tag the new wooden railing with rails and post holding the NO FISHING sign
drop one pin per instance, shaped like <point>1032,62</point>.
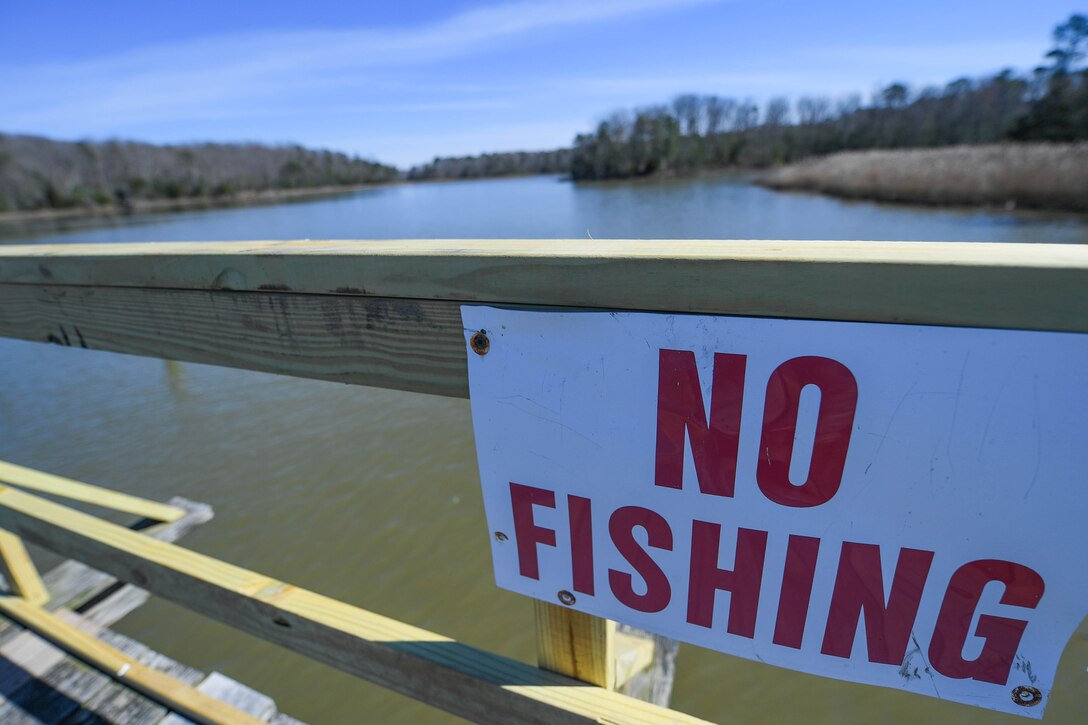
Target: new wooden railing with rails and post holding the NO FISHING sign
<point>388,314</point>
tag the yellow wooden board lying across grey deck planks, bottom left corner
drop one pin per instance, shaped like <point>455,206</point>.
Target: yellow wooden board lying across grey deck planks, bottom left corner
<point>174,694</point>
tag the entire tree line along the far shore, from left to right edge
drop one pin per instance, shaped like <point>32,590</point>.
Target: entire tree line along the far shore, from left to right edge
<point>693,133</point>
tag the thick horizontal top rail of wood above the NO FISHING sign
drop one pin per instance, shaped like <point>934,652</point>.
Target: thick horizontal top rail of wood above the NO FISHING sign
<point>388,314</point>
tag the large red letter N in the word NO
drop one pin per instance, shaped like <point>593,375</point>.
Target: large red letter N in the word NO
<point>681,411</point>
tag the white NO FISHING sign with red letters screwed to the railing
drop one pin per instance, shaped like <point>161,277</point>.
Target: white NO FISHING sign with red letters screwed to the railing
<point>888,505</point>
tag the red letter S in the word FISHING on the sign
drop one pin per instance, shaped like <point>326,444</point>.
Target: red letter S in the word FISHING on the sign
<point>660,536</point>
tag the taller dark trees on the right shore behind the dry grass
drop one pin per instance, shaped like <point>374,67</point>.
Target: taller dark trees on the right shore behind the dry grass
<point>704,132</point>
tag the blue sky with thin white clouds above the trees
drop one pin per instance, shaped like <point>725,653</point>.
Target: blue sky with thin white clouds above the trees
<point>404,82</point>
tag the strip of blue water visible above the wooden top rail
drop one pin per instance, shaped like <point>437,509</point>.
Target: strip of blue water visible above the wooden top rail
<point>725,207</point>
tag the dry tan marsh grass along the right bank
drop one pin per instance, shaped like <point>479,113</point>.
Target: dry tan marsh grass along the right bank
<point>1028,176</point>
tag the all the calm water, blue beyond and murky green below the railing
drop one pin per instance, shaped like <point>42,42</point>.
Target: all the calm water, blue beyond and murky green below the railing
<point>373,497</point>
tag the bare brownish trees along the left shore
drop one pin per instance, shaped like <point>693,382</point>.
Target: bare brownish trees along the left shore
<point>39,173</point>
